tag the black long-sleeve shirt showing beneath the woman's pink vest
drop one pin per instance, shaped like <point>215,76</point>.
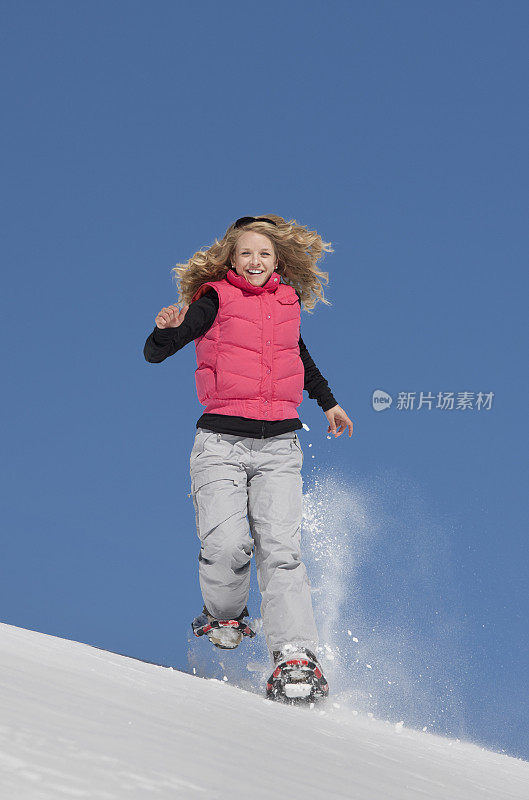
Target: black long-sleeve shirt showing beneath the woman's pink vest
<point>164,342</point>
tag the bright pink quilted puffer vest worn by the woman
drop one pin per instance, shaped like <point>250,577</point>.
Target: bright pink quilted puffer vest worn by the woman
<point>248,362</point>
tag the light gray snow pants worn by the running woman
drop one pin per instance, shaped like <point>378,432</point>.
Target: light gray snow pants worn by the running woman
<point>248,496</point>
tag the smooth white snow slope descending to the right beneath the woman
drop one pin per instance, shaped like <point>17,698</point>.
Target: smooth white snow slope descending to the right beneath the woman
<point>78,722</point>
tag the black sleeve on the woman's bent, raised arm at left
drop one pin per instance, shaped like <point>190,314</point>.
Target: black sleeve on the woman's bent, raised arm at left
<point>164,342</point>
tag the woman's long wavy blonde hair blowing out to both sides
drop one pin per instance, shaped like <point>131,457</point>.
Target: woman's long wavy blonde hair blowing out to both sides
<point>297,249</point>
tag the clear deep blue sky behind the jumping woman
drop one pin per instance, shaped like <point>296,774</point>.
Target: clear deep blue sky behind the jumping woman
<point>134,134</point>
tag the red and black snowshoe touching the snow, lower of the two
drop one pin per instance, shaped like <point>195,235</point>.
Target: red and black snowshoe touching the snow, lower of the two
<point>297,677</point>
